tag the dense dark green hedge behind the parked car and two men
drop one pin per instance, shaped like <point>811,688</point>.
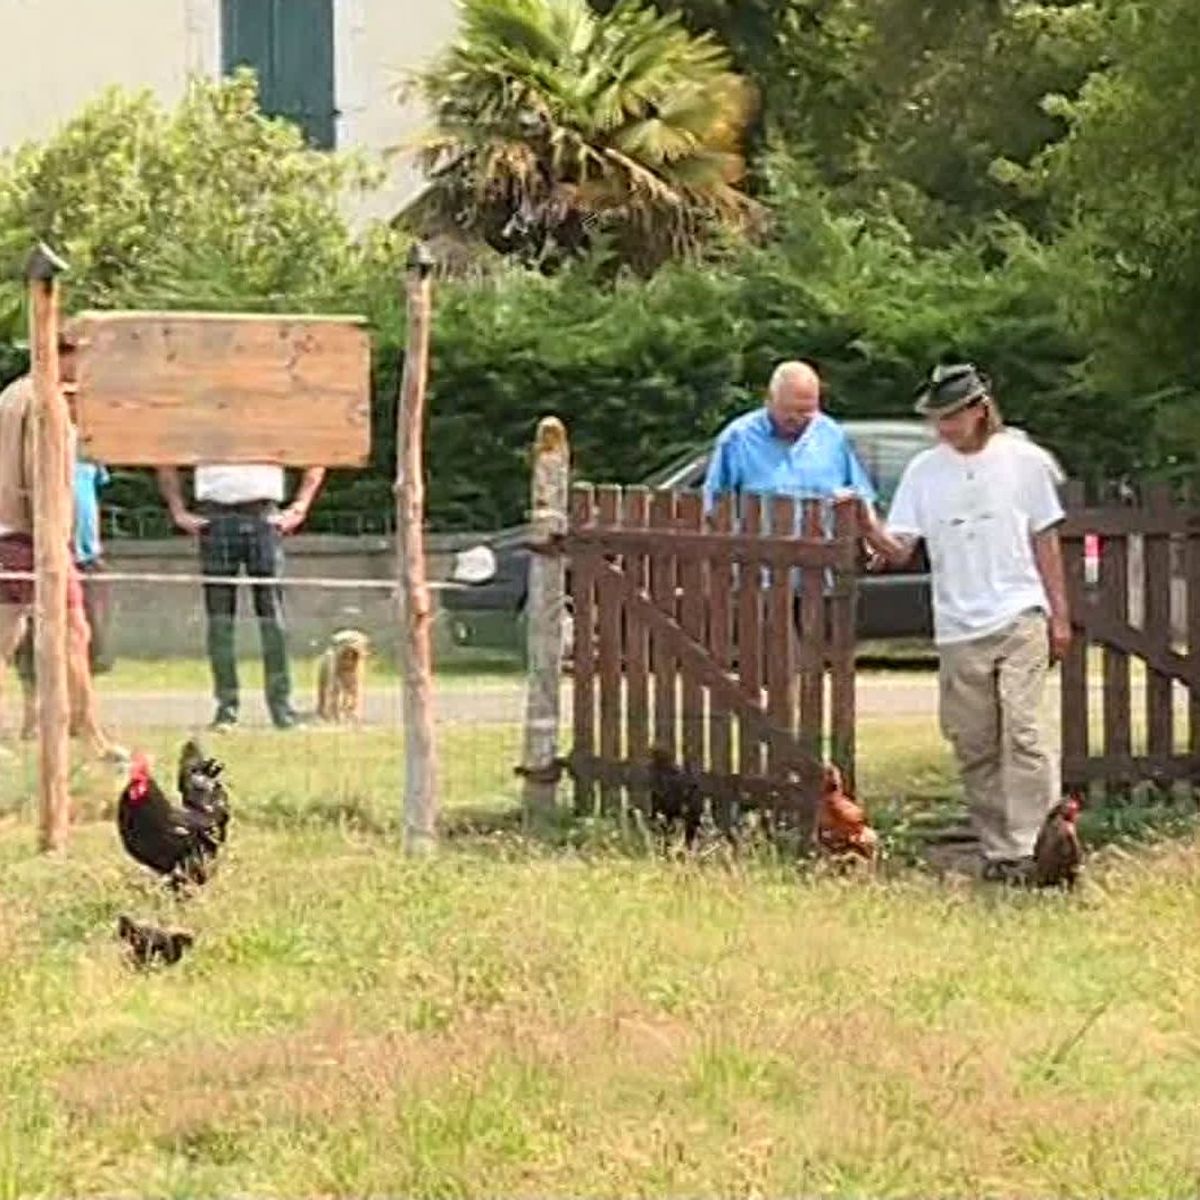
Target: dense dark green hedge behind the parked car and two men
<point>640,369</point>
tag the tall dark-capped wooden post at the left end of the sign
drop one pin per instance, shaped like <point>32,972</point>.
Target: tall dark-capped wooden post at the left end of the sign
<point>52,539</point>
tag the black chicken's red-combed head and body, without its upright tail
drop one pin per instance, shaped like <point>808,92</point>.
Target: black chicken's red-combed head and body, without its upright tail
<point>179,844</point>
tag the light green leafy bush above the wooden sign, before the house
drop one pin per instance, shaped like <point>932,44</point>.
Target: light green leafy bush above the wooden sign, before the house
<point>184,207</point>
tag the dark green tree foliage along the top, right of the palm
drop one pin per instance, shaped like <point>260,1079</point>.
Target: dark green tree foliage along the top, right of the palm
<point>909,106</point>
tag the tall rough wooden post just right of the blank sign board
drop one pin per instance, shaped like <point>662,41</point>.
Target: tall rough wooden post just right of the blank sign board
<point>413,593</point>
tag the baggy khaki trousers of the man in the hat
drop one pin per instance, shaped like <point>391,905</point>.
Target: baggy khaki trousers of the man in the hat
<point>992,693</point>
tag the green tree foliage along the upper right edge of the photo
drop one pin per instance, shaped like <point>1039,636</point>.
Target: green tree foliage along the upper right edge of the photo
<point>1127,185</point>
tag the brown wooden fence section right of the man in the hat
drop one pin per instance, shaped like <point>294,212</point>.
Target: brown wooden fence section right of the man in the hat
<point>1138,638</point>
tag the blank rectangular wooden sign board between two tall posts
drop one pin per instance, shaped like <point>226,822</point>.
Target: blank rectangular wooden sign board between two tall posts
<point>160,389</point>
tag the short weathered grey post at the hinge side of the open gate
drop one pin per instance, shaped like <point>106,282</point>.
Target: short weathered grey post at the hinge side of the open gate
<point>547,615</point>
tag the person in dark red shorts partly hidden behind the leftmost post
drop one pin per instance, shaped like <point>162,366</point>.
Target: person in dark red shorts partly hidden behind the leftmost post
<point>17,557</point>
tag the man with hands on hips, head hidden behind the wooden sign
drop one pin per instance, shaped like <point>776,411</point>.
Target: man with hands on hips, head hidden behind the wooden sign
<point>241,524</point>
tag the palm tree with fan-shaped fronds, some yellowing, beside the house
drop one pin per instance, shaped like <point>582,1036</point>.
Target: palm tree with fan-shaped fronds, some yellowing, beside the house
<point>554,124</point>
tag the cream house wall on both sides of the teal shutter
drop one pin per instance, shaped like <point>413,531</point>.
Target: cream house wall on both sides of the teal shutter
<point>76,49</point>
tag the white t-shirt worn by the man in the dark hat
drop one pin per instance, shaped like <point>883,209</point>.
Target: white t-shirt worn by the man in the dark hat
<point>979,514</point>
